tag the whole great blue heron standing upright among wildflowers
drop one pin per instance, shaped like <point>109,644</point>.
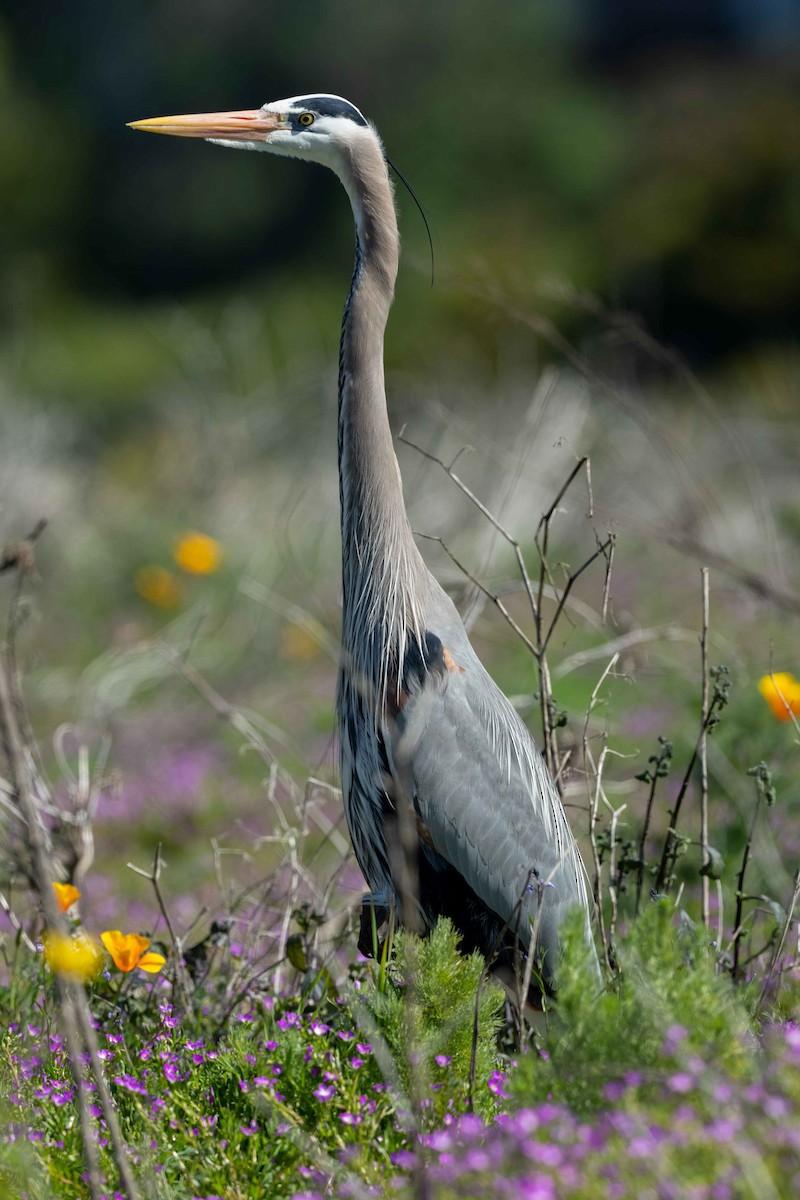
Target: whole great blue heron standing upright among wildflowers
<point>420,721</point>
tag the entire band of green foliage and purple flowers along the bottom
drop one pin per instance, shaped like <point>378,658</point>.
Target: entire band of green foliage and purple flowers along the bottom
<point>642,1085</point>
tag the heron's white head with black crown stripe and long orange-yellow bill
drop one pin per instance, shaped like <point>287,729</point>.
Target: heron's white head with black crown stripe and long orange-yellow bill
<point>316,128</point>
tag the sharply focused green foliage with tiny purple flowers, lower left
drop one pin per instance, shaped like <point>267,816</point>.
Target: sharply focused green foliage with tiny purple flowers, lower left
<point>282,1089</point>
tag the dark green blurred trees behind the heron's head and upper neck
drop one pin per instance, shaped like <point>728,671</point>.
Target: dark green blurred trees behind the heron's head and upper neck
<point>645,151</point>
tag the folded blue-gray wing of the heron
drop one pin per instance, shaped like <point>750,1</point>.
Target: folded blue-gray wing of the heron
<point>484,795</point>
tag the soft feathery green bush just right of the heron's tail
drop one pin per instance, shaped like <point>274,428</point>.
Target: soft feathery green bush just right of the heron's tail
<point>669,982</point>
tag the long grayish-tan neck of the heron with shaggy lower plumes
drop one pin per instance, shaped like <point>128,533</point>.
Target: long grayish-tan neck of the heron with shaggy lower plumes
<point>383,573</point>
